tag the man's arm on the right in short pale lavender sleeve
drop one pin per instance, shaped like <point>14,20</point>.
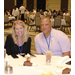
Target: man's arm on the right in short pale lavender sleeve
<point>65,44</point>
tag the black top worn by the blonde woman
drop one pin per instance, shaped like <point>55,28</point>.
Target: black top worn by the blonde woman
<point>12,48</point>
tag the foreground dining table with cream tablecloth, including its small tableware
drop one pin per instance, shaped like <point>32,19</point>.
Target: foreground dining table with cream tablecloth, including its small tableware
<point>14,65</point>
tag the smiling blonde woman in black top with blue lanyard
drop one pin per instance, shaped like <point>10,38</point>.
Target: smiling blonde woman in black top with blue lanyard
<point>18,42</point>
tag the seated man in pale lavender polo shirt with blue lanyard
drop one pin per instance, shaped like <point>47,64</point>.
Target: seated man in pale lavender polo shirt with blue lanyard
<point>51,39</point>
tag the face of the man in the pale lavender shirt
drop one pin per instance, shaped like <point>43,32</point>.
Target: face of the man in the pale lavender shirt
<point>45,25</point>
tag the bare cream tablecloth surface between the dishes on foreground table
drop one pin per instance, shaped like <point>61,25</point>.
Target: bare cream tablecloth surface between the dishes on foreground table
<point>41,68</point>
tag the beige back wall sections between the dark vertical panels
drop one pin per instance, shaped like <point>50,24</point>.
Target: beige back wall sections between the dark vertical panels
<point>50,4</point>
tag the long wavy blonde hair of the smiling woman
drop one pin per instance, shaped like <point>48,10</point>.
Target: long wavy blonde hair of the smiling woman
<point>25,35</point>
